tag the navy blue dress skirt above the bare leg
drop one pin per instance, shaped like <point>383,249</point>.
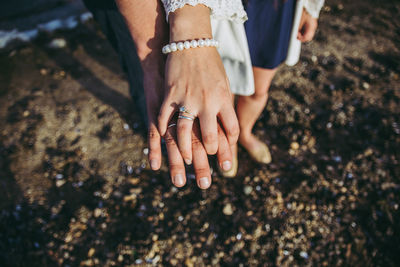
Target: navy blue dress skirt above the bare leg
<point>268,31</point>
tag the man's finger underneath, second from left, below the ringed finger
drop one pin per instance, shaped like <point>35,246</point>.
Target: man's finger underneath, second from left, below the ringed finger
<point>175,161</point>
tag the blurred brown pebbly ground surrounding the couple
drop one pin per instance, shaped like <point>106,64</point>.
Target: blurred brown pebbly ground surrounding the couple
<point>76,189</point>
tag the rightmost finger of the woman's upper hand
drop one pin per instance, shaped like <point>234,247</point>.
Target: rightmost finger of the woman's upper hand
<point>229,121</point>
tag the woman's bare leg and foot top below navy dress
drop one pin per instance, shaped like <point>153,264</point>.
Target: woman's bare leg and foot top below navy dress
<point>249,108</point>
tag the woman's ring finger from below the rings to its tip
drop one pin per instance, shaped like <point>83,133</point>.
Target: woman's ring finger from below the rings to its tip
<point>184,134</point>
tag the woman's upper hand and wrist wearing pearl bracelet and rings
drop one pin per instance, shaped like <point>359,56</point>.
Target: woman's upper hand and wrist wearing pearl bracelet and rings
<point>196,79</point>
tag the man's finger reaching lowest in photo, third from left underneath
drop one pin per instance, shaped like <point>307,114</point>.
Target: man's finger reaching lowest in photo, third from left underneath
<point>200,159</point>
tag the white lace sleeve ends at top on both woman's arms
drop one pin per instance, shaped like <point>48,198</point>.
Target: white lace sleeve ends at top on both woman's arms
<point>231,9</point>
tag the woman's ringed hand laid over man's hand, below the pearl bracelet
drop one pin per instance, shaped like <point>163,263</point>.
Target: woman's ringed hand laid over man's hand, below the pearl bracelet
<point>194,79</point>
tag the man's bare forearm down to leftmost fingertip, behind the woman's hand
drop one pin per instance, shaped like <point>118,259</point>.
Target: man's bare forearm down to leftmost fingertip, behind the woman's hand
<point>149,31</point>
